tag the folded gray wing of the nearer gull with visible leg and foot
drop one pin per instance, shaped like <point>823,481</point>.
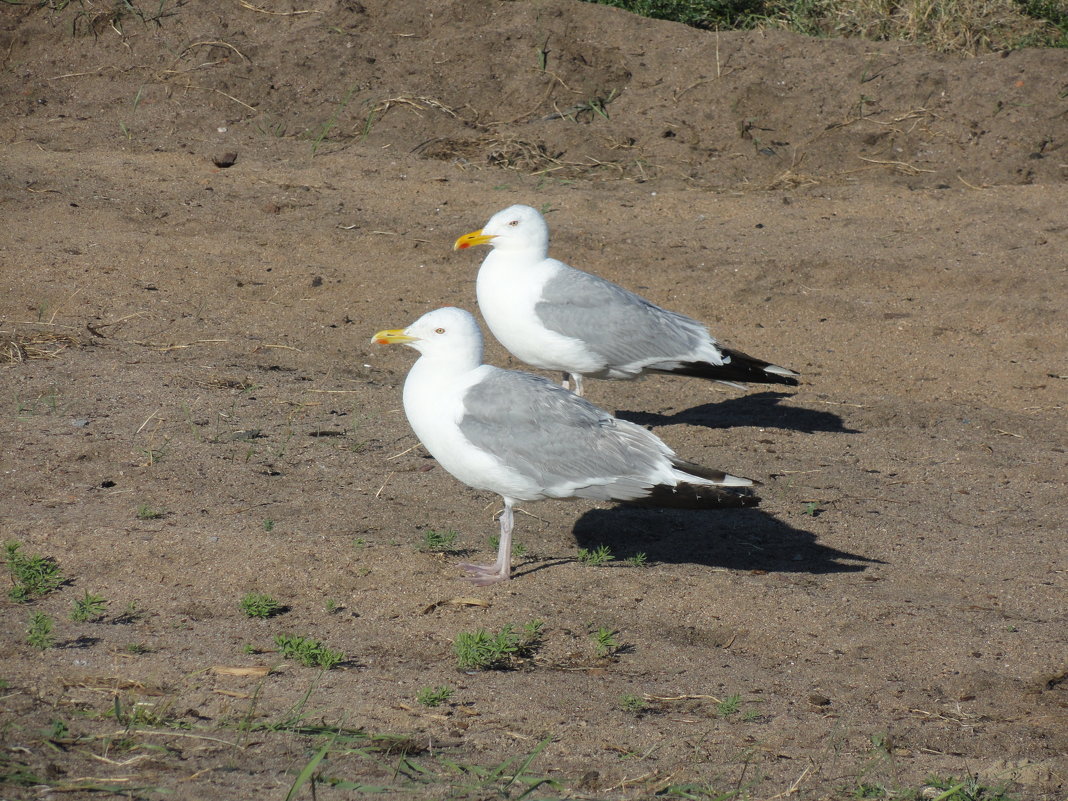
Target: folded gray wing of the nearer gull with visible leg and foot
<point>560,442</point>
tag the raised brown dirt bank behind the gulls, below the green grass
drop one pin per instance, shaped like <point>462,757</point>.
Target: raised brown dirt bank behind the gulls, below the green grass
<point>557,89</point>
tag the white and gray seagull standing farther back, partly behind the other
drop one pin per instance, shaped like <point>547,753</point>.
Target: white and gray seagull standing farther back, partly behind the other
<point>556,318</point>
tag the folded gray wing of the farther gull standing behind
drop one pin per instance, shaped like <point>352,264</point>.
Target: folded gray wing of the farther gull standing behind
<point>621,327</point>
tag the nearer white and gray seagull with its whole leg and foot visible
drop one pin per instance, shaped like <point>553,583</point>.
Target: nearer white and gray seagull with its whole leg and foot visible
<point>528,439</point>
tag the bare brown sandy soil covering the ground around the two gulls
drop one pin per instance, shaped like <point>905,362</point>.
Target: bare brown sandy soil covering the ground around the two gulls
<point>193,339</point>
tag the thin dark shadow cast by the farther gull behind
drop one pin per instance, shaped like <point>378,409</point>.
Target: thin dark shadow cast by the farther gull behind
<point>762,410</point>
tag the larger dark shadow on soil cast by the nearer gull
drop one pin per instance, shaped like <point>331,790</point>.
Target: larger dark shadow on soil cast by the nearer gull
<point>739,540</point>
